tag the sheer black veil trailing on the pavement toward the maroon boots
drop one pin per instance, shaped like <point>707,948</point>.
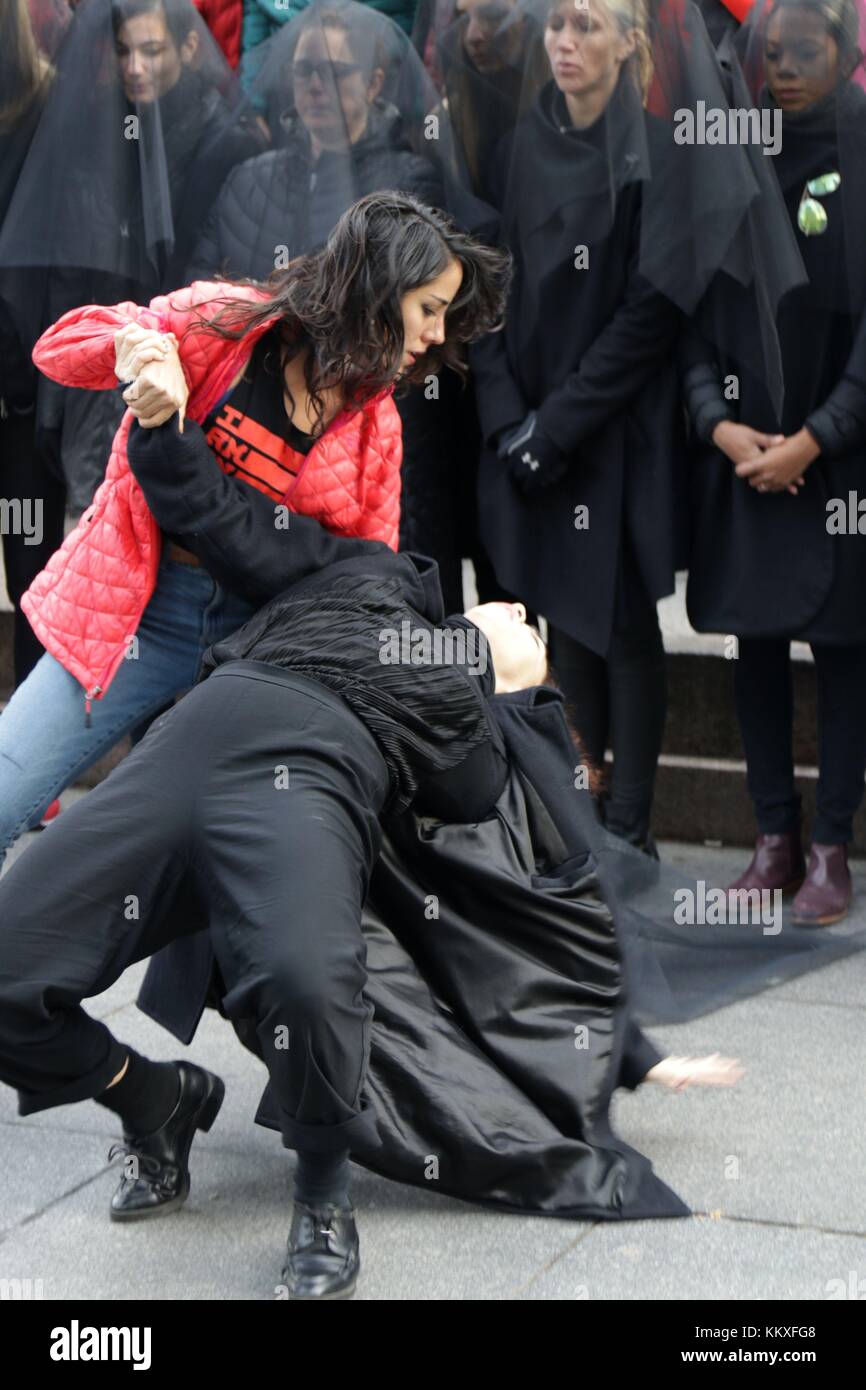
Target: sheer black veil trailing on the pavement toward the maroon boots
<point>678,967</point>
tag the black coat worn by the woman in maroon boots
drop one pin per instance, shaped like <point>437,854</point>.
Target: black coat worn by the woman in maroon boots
<point>765,565</point>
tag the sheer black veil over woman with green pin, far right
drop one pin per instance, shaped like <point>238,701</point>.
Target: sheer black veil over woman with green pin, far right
<point>801,252</point>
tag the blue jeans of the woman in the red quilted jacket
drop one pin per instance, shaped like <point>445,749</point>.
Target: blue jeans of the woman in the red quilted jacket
<point>45,743</point>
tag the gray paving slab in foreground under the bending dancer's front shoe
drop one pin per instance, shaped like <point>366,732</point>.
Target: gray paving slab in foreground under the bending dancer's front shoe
<point>229,1241</point>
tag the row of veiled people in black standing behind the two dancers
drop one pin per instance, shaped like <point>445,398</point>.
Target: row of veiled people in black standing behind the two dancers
<point>678,344</point>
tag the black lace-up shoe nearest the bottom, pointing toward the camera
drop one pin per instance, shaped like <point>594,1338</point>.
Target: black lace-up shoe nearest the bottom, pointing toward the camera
<point>323,1257</point>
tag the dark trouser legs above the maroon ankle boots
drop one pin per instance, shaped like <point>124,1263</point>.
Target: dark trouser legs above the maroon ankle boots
<point>765,708</point>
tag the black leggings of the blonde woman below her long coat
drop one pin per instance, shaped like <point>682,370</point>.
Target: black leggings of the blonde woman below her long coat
<point>621,701</point>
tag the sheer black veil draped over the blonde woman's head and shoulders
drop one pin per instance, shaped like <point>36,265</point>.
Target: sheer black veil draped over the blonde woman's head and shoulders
<point>710,208</point>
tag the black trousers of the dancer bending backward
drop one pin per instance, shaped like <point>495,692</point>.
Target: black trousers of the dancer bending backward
<point>252,806</point>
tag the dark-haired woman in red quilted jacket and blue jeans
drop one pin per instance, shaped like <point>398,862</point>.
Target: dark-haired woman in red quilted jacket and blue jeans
<point>288,389</point>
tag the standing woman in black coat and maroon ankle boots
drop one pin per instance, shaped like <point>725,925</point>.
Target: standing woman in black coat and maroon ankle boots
<point>778,553</point>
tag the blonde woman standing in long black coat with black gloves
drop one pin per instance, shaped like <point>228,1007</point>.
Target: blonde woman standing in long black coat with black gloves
<point>579,397</point>
